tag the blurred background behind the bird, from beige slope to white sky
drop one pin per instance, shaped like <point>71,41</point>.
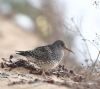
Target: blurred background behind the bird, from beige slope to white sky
<point>26,24</point>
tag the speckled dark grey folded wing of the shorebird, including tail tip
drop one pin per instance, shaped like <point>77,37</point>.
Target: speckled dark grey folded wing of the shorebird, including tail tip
<point>40,53</point>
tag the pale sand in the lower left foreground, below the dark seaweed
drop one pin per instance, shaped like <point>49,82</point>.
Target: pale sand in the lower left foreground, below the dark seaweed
<point>13,77</point>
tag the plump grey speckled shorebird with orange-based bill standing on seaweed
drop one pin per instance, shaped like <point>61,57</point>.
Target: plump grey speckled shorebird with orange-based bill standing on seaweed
<point>46,57</point>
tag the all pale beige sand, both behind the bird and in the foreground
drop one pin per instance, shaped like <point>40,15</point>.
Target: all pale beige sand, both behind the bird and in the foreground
<point>13,38</point>
